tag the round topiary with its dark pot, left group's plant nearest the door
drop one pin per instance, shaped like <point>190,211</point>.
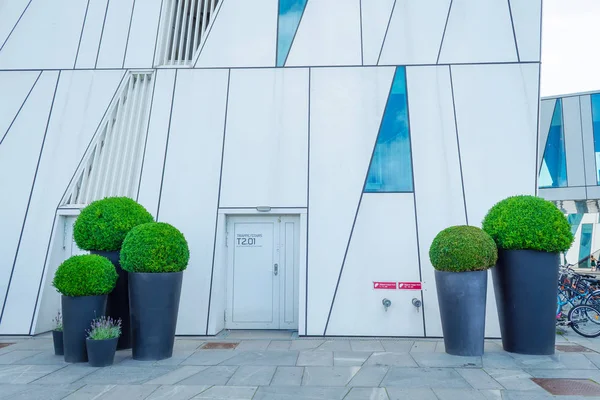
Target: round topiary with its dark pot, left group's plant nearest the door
<point>155,255</point>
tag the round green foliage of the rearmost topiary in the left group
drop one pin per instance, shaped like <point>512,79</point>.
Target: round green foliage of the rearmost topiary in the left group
<point>103,224</point>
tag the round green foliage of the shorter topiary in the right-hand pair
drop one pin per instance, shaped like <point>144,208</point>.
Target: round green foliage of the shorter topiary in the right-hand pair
<point>463,248</point>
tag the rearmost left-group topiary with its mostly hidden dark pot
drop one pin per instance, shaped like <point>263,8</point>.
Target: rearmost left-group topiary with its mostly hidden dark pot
<point>101,228</point>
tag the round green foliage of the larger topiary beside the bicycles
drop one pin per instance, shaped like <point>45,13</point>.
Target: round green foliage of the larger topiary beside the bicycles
<point>528,223</point>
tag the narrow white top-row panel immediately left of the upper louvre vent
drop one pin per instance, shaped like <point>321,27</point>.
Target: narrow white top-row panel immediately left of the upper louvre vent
<point>142,36</point>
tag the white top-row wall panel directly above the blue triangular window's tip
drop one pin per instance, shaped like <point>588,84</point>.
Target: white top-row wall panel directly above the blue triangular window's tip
<point>415,32</point>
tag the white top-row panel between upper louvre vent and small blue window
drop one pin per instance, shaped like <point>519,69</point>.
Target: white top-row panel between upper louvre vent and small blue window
<point>243,34</point>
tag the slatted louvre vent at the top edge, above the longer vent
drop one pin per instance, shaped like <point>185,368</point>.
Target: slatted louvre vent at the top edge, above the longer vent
<point>184,26</point>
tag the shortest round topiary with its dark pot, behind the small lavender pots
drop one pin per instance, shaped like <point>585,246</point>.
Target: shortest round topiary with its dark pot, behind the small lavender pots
<point>84,282</point>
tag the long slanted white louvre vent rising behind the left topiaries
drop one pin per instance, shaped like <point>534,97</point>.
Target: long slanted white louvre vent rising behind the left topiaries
<point>112,164</point>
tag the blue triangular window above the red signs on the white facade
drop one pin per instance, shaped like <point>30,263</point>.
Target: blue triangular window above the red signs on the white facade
<point>391,166</point>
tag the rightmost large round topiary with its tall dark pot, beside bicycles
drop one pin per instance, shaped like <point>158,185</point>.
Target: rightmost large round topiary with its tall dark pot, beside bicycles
<point>530,233</point>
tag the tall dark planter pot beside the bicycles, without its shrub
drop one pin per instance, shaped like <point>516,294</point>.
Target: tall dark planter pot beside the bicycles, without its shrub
<point>525,283</point>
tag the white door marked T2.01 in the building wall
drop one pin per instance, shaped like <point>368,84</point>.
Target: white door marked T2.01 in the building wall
<point>262,284</point>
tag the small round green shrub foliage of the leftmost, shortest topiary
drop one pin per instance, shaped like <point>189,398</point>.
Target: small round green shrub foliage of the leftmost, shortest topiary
<point>85,275</point>
